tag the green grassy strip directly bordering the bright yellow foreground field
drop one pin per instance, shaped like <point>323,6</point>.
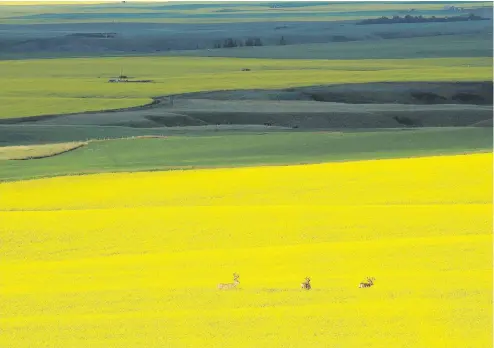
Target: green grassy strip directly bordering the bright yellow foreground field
<point>239,150</point>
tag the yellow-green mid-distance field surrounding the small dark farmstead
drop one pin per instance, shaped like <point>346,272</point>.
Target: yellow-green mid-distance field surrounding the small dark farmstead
<point>72,85</point>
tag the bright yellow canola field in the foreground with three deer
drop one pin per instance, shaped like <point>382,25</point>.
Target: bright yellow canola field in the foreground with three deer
<point>133,260</point>
